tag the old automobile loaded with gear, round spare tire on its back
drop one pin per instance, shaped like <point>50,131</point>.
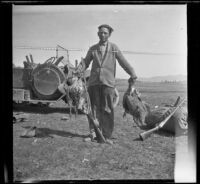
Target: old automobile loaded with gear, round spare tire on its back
<point>38,83</point>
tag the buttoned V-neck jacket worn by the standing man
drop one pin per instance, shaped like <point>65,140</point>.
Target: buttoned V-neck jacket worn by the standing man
<point>104,68</point>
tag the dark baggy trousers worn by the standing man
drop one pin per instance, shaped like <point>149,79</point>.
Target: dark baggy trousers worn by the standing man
<point>101,97</point>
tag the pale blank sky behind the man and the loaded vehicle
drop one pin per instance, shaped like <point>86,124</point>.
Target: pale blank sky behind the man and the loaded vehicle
<point>137,28</point>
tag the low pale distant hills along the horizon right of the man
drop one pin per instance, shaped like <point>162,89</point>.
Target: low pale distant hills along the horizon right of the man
<point>164,78</point>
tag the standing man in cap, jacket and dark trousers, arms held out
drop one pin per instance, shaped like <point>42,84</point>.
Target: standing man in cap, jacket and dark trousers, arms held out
<point>101,83</point>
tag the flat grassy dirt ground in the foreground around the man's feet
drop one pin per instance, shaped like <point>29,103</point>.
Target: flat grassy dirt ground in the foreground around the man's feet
<point>58,152</point>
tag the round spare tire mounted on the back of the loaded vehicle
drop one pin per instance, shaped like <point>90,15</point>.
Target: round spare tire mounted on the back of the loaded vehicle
<point>45,81</point>
